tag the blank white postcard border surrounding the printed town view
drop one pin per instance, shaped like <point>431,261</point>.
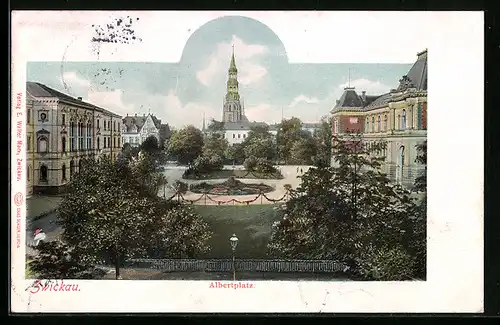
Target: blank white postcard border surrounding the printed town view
<point>455,158</point>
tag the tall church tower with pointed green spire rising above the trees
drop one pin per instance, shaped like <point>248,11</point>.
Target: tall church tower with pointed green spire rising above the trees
<point>232,110</point>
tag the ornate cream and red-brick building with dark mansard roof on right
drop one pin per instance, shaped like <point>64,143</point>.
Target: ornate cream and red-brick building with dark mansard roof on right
<point>398,118</point>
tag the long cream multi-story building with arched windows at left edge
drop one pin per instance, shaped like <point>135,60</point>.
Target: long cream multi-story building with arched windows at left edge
<point>62,131</point>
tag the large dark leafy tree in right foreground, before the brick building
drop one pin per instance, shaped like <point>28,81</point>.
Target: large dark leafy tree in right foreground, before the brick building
<point>350,212</point>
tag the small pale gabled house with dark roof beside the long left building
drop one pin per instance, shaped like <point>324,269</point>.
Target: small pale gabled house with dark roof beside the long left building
<point>136,129</point>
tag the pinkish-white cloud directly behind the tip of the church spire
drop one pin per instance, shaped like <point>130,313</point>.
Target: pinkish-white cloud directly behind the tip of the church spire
<point>246,57</point>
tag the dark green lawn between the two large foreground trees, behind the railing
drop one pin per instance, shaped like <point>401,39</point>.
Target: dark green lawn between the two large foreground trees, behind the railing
<point>251,224</point>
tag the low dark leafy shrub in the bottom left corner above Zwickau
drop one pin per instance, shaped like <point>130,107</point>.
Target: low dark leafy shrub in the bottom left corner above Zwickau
<point>56,260</point>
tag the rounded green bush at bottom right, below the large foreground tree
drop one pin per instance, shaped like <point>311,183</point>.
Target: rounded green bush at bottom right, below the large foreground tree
<point>387,264</point>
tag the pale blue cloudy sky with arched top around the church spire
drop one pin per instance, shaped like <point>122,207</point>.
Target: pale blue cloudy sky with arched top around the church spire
<point>180,93</point>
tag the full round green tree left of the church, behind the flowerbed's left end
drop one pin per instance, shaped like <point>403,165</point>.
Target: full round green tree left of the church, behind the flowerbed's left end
<point>186,144</point>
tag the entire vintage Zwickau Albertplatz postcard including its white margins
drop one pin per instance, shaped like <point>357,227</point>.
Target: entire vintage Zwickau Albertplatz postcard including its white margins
<point>290,162</point>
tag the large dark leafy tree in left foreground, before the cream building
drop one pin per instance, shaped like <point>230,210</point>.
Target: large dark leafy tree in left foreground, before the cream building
<point>108,216</point>
